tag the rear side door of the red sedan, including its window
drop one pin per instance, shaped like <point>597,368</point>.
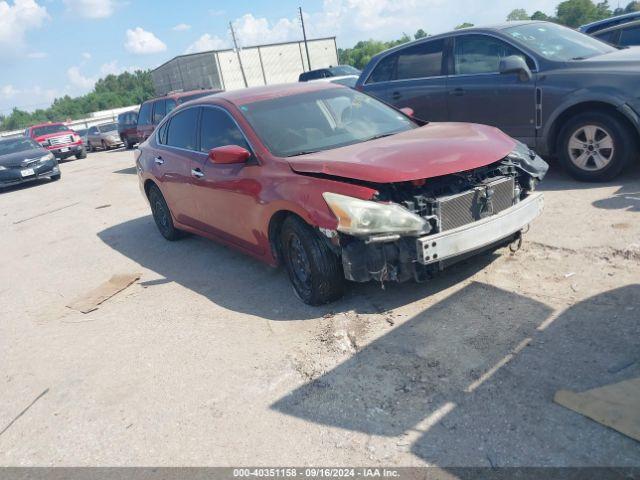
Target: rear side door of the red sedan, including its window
<point>177,147</point>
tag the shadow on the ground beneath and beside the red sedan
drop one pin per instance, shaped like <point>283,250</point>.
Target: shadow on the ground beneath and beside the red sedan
<point>240,283</point>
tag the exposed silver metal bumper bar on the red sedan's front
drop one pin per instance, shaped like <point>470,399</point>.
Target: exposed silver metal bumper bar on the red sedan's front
<point>473,236</point>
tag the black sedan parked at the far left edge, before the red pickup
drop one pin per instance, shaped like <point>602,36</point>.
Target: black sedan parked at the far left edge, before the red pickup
<point>23,160</point>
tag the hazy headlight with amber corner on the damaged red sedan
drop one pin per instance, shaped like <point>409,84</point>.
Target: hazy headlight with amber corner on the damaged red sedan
<point>364,217</point>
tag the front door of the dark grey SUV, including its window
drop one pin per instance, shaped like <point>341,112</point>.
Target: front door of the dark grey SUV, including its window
<point>478,93</point>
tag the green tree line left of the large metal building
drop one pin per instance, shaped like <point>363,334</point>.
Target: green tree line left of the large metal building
<point>112,91</point>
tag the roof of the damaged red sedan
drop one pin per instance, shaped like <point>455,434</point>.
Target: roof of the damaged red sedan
<point>256,94</point>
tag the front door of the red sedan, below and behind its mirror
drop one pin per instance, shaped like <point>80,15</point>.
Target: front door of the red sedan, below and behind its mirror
<point>227,196</point>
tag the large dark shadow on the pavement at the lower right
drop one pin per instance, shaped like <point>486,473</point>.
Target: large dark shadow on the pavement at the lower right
<point>413,382</point>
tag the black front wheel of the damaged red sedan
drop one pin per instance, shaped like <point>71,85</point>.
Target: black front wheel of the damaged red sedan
<point>314,270</point>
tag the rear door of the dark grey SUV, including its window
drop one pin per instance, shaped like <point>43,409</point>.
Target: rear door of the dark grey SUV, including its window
<point>413,77</point>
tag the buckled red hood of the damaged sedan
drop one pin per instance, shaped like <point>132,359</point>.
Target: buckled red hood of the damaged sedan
<point>430,151</point>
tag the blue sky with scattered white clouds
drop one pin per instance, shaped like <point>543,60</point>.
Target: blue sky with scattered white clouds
<point>51,48</point>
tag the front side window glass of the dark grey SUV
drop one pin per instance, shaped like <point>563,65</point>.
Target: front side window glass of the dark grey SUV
<point>477,54</point>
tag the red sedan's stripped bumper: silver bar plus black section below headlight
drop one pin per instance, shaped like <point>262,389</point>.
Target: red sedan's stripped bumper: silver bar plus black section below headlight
<point>419,259</point>
